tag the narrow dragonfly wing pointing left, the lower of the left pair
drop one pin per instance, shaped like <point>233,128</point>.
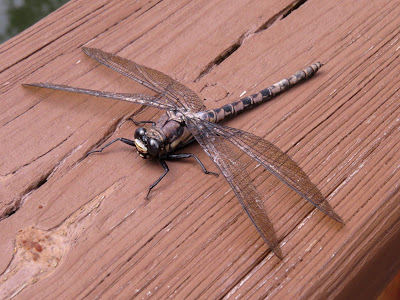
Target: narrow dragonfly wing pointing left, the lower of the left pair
<point>134,98</point>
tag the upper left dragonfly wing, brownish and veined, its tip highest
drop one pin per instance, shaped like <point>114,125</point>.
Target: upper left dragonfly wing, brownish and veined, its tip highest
<point>157,81</point>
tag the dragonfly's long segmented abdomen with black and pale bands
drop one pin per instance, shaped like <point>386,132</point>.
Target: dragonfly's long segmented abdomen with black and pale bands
<point>228,110</point>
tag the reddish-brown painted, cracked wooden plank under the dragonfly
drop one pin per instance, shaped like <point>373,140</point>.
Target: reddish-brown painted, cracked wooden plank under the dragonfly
<point>75,227</point>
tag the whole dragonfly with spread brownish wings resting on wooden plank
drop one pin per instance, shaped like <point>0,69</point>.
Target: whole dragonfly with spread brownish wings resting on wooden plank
<point>186,120</point>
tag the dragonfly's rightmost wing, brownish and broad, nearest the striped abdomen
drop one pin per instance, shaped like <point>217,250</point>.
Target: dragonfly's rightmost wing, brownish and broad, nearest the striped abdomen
<point>278,163</point>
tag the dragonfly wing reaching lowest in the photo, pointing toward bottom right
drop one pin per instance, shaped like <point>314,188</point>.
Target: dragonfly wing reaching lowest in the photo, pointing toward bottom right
<point>220,151</point>
